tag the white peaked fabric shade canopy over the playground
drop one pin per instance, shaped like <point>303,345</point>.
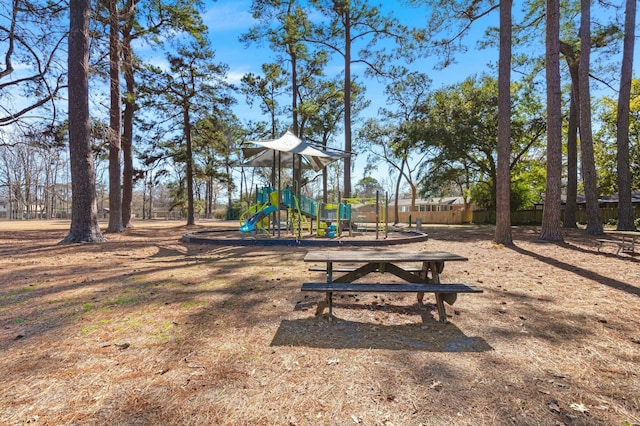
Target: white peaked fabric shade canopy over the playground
<point>288,146</point>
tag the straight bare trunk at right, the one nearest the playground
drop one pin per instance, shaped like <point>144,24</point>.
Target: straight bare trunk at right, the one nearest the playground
<point>503,182</point>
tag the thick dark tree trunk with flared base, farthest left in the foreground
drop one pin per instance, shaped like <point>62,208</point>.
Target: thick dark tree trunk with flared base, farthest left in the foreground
<point>84,210</point>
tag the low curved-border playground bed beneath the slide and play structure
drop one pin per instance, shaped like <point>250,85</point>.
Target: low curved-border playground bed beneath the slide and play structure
<point>362,239</point>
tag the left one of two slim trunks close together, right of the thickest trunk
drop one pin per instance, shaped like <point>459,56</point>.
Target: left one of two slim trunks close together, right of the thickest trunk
<point>115,170</point>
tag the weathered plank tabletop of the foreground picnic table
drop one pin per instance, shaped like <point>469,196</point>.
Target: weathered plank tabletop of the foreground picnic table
<point>385,256</point>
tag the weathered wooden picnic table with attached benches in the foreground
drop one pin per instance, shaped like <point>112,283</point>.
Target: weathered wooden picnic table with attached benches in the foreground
<point>355,264</point>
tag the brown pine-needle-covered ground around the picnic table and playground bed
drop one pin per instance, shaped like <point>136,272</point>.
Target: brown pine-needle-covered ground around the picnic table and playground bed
<point>146,330</point>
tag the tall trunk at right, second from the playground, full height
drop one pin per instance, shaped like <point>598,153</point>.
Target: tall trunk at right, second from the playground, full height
<point>550,230</point>
